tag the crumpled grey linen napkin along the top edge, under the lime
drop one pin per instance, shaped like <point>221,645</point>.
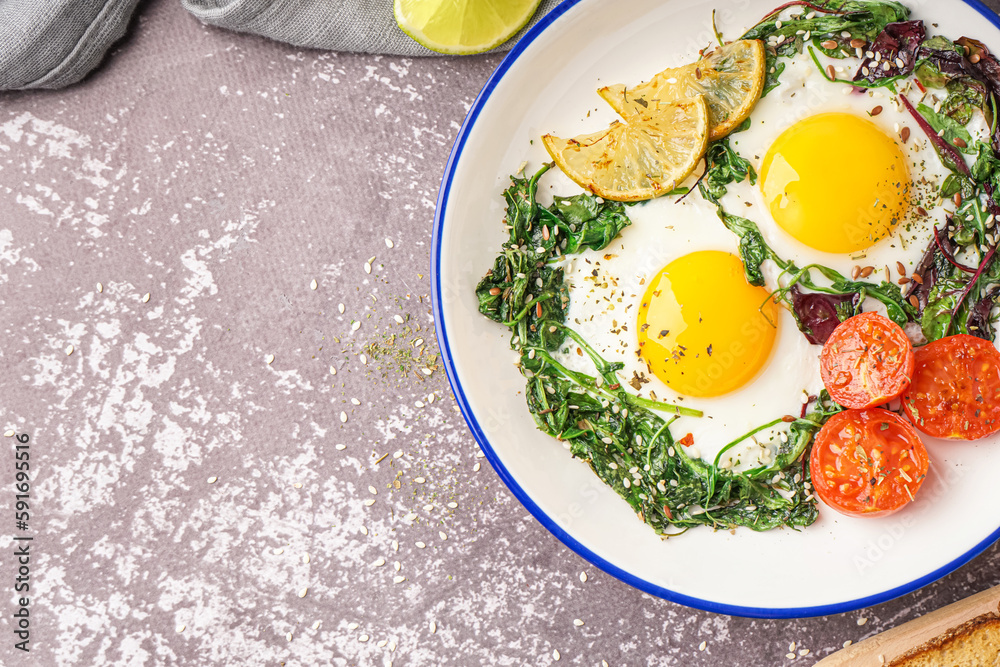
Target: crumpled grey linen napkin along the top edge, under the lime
<point>53,43</point>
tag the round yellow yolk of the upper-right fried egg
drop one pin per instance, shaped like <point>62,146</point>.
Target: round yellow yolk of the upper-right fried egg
<point>836,182</point>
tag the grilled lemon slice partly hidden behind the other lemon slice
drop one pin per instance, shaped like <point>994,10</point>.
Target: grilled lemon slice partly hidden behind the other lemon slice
<point>730,78</point>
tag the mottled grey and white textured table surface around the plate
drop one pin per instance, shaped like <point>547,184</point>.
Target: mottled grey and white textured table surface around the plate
<point>198,502</point>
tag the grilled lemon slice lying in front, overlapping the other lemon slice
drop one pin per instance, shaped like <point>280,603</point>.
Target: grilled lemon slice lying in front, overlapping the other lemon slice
<point>644,157</point>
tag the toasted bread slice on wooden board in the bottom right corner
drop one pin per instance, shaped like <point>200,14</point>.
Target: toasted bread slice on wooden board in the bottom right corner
<point>975,643</point>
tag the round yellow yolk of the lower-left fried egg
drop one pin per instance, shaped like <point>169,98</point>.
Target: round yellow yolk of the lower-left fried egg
<point>703,330</point>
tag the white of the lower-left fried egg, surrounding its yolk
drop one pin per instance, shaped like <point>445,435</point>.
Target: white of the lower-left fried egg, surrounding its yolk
<point>603,308</point>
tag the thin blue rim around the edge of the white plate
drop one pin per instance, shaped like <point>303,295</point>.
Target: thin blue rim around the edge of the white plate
<point>520,493</point>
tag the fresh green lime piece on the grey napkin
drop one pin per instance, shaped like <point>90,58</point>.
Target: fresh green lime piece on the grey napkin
<point>462,27</point>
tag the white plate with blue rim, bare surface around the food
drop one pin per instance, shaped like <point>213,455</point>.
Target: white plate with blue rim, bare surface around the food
<point>836,565</point>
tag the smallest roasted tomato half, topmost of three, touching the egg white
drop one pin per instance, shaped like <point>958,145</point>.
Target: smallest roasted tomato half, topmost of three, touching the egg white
<point>867,361</point>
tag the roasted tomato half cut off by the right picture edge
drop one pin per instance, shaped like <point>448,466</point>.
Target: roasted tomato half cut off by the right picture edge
<point>955,391</point>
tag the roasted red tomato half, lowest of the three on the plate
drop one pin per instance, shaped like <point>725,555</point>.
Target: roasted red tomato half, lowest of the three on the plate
<point>858,447</point>
